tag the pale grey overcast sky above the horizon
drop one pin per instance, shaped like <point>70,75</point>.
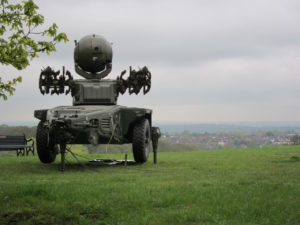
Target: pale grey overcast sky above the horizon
<point>211,60</point>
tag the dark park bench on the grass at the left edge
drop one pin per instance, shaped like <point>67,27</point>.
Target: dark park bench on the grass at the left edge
<point>16,142</point>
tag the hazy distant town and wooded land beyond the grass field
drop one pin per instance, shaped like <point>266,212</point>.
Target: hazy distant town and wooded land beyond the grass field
<point>202,136</point>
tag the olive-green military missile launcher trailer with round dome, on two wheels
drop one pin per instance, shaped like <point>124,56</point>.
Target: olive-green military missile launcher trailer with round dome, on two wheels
<point>95,118</point>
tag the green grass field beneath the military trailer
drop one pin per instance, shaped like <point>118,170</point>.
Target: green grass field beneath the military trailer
<point>253,186</point>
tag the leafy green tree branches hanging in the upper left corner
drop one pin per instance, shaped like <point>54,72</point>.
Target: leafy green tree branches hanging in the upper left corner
<point>21,40</point>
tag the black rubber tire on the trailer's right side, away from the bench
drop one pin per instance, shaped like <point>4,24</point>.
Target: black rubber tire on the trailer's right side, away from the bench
<point>141,140</point>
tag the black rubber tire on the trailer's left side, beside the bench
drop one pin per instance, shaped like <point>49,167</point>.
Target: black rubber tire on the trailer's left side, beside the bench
<point>46,148</point>
